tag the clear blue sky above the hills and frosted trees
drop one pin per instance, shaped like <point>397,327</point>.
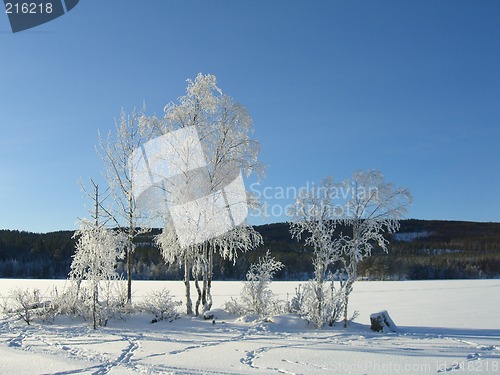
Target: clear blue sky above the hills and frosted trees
<point>411,88</point>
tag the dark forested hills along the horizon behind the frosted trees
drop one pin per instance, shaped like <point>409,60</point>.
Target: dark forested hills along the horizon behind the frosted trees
<point>420,250</point>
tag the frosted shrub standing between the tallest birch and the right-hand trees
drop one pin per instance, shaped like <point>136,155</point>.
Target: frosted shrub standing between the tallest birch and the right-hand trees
<point>256,297</point>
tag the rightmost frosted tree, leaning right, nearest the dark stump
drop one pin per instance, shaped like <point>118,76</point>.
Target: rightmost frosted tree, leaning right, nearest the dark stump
<point>371,209</point>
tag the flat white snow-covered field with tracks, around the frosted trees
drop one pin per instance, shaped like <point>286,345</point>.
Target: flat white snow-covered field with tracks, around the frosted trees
<point>444,327</point>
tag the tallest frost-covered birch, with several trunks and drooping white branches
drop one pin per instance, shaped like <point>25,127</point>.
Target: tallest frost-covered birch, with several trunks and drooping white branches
<point>224,130</point>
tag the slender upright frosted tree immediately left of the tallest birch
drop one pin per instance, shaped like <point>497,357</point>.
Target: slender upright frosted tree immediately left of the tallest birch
<point>116,152</point>
